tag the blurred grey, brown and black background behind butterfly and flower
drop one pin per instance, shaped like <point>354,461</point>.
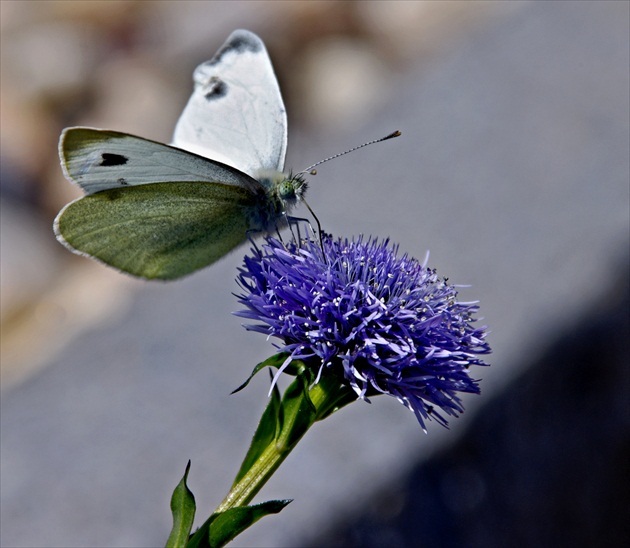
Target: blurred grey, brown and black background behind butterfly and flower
<point>513,170</point>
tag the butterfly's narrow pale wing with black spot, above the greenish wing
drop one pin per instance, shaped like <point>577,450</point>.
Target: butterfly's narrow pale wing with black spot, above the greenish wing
<point>98,160</point>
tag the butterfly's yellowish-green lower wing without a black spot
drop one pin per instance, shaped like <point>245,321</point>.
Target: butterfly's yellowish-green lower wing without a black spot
<point>161,230</point>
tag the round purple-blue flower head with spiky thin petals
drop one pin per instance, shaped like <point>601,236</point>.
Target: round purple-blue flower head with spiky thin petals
<point>385,324</point>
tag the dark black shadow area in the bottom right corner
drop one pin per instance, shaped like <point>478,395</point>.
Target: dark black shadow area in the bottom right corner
<point>546,463</point>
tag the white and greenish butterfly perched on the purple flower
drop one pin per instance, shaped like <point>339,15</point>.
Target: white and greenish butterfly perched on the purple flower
<point>160,211</point>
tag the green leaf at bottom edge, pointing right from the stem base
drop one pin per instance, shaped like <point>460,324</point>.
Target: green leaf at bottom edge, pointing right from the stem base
<point>221,528</point>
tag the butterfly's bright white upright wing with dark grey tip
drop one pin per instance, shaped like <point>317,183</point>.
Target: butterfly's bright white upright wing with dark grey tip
<point>236,114</point>
